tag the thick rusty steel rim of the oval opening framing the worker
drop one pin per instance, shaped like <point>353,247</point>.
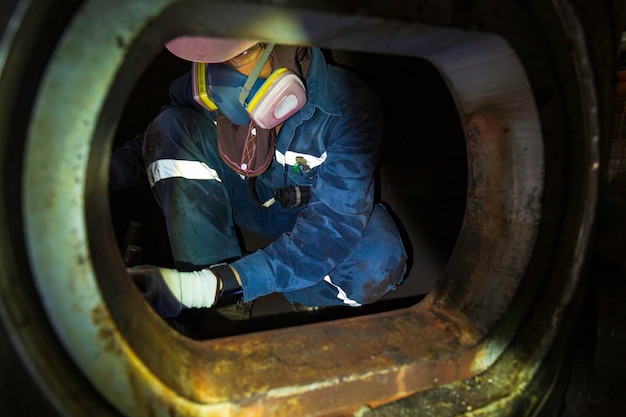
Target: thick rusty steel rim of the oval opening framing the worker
<point>485,327</point>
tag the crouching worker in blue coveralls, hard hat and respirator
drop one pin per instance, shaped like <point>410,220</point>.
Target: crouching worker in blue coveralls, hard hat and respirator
<point>274,139</point>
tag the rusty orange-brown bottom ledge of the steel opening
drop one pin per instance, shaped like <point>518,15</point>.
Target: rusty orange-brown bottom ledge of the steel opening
<point>326,367</point>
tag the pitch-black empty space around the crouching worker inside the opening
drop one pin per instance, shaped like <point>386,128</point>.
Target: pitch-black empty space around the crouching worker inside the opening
<point>422,179</point>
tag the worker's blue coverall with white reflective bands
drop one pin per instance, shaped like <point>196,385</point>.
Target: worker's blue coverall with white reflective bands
<point>339,249</point>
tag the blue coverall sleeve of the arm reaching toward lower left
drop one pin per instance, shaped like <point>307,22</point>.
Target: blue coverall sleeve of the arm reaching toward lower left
<point>328,229</point>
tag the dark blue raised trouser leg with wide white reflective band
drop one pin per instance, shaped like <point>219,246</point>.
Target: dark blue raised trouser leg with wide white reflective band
<point>184,169</point>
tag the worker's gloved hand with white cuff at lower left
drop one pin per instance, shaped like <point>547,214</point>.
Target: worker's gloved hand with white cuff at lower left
<point>169,291</point>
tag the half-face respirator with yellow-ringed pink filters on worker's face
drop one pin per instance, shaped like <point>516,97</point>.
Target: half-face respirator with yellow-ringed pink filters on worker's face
<point>266,101</point>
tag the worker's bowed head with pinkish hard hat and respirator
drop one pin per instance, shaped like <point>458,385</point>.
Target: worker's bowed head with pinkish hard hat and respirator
<point>238,79</point>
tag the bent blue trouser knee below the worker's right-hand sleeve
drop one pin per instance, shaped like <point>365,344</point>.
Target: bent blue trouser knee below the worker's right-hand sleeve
<point>375,266</point>
